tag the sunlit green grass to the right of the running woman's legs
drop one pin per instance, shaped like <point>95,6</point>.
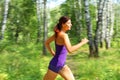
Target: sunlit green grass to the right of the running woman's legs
<point>106,67</point>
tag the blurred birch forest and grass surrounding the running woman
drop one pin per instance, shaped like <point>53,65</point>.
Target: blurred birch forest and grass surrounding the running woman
<point>26,24</point>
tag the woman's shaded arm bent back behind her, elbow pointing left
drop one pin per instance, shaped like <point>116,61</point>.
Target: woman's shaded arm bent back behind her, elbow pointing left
<point>47,44</point>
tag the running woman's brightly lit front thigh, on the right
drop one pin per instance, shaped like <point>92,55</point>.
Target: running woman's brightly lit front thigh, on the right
<point>66,73</point>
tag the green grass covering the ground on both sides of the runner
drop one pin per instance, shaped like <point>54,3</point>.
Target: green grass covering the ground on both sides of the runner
<point>26,62</point>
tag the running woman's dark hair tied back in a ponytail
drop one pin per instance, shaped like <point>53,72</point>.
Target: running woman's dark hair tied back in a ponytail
<point>58,27</point>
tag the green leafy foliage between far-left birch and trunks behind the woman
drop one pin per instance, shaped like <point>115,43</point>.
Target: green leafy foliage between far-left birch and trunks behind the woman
<point>22,20</point>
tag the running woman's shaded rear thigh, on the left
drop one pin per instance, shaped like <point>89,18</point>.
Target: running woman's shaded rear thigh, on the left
<point>50,75</point>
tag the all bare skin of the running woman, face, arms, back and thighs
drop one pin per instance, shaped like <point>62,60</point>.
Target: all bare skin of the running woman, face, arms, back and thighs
<point>62,39</point>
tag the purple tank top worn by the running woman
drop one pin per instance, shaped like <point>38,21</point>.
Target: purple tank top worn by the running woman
<point>60,57</point>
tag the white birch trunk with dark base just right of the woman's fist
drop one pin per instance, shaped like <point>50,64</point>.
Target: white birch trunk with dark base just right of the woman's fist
<point>89,28</point>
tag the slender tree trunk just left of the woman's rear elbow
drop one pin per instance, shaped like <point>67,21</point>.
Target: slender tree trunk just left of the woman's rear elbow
<point>45,28</point>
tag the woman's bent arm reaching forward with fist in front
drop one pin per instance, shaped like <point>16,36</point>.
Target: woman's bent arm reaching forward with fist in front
<point>71,48</point>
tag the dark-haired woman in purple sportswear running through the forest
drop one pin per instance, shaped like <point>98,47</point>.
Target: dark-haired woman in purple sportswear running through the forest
<point>57,64</point>
